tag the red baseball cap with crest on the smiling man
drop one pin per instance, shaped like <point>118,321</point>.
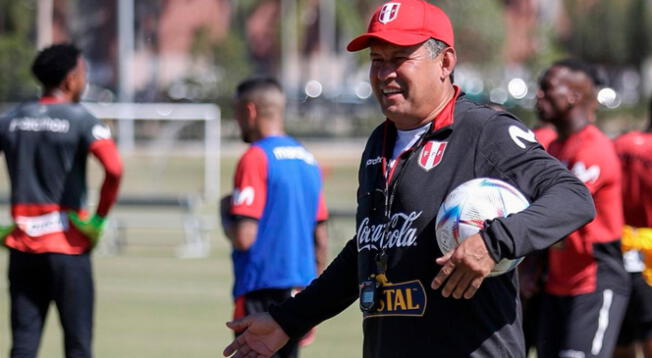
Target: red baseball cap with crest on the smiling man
<point>406,23</point>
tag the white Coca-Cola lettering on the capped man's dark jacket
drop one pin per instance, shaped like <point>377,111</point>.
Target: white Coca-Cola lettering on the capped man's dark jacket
<point>400,233</point>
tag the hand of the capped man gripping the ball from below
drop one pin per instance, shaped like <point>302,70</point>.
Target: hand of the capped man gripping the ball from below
<point>464,268</point>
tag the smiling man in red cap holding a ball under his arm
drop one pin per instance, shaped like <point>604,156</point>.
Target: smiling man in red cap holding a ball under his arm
<point>417,301</point>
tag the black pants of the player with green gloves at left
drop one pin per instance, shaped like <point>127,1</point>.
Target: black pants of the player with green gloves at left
<point>37,280</point>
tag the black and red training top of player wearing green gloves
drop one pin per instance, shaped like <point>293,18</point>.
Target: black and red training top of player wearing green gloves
<point>46,145</point>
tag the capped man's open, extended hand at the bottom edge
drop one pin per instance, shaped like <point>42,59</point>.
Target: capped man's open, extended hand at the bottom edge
<point>260,337</point>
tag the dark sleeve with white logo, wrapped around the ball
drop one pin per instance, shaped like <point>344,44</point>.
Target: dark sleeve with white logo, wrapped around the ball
<point>559,202</point>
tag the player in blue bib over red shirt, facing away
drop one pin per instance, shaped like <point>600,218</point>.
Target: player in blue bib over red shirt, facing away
<point>276,216</point>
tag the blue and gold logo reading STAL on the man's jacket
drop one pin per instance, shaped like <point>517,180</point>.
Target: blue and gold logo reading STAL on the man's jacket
<point>407,299</point>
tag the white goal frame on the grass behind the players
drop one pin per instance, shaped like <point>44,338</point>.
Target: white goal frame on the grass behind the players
<point>150,202</point>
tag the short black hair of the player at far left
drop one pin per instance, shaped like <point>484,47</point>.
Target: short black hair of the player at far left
<point>53,63</point>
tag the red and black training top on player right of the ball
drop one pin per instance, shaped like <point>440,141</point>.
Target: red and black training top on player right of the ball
<point>590,258</point>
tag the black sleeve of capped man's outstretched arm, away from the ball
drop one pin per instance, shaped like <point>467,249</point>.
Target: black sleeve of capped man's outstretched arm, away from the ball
<point>325,297</point>
